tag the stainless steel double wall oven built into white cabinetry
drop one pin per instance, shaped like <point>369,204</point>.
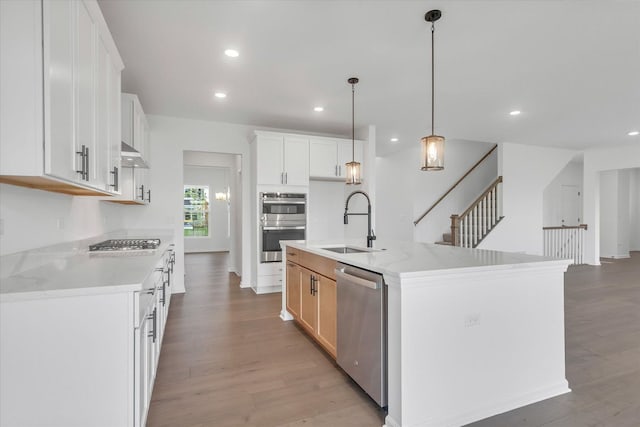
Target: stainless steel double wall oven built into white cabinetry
<point>283,216</point>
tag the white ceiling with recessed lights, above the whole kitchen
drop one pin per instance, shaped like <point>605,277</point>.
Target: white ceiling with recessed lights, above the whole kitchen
<point>571,66</point>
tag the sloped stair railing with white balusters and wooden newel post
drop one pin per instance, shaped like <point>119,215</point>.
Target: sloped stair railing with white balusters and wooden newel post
<point>469,228</point>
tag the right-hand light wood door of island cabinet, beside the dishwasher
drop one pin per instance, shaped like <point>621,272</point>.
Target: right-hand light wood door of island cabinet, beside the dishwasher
<point>326,331</point>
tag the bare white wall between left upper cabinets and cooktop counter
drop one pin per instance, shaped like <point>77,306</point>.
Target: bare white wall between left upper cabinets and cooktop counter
<point>34,218</point>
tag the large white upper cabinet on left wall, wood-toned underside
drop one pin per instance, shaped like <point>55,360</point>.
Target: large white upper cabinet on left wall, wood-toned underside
<point>60,82</point>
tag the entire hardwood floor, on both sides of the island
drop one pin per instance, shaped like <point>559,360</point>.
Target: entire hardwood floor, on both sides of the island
<point>228,359</point>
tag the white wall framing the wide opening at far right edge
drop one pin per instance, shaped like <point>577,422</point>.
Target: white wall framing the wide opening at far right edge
<point>596,161</point>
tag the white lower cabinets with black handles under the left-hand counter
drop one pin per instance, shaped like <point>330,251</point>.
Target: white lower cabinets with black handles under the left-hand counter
<point>88,360</point>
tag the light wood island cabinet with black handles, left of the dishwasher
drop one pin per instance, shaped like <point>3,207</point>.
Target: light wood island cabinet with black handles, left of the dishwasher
<point>311,296</point>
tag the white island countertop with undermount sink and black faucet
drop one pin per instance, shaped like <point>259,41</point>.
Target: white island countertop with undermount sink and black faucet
<point>407,260</point>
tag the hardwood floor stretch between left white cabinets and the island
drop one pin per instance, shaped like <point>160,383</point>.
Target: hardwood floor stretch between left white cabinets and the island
<point>229,360</point>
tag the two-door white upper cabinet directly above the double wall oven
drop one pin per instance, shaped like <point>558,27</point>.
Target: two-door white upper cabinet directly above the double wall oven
<point>281,159</point>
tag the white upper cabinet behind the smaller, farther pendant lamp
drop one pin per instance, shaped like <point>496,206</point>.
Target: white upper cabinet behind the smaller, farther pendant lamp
<point>327,157</point>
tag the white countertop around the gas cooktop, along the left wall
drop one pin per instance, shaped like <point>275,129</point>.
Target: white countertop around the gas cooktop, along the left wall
<point>69,269</point>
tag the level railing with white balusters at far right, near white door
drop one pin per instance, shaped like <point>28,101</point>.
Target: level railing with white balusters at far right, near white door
<point>565,242</point>
